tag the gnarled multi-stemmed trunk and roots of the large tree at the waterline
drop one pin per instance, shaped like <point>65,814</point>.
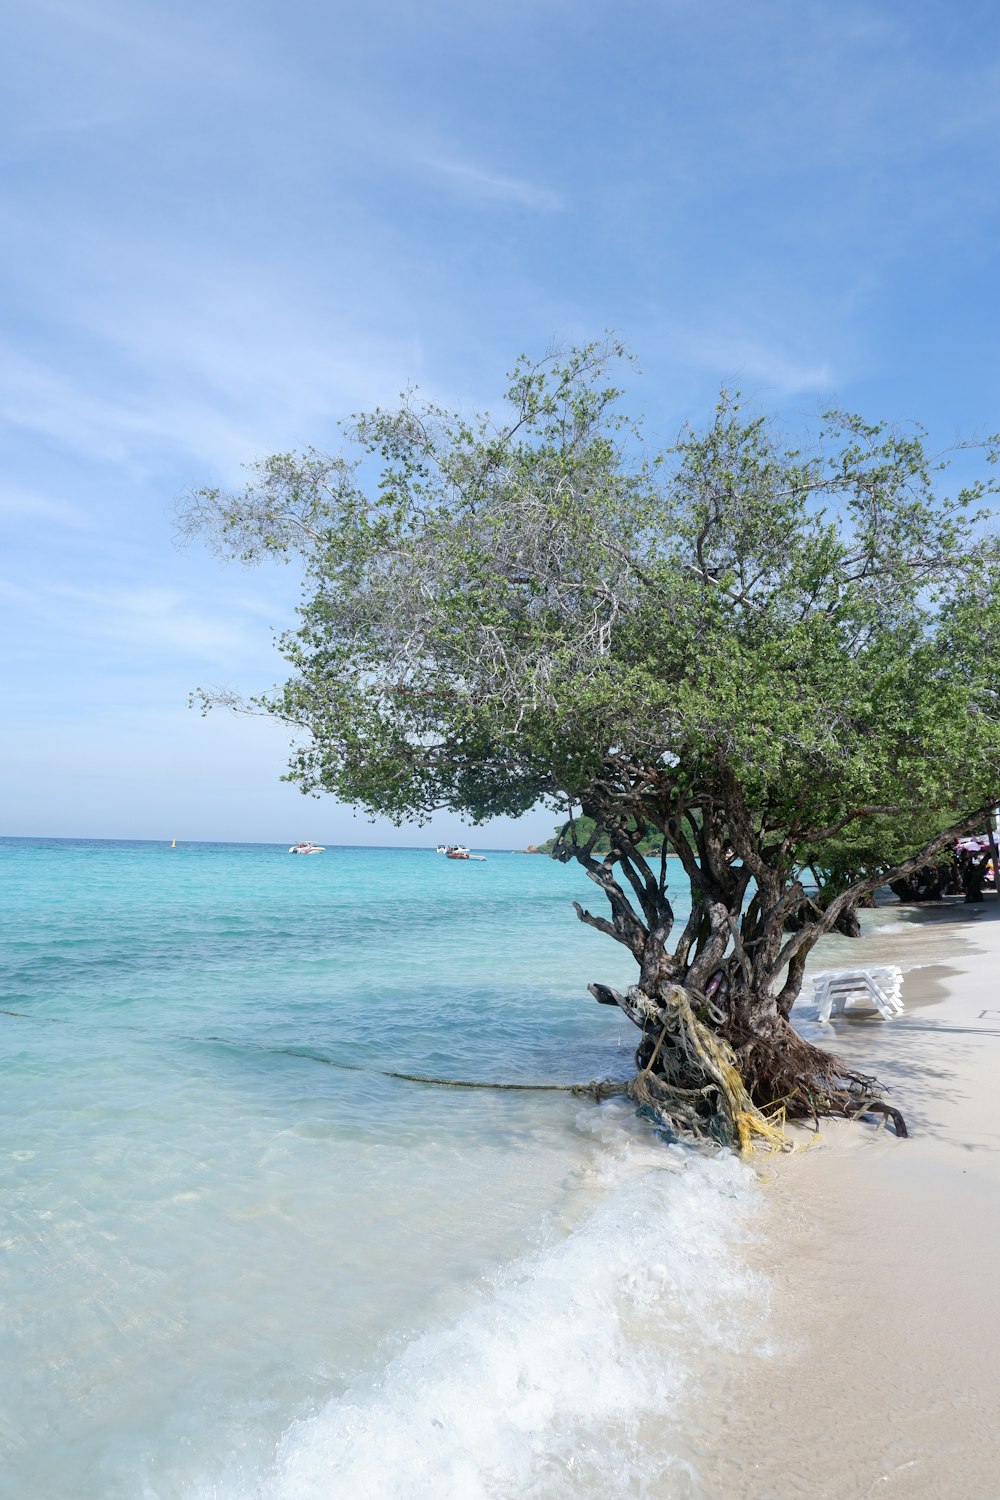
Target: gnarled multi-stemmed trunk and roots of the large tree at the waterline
<point>719,1057</point>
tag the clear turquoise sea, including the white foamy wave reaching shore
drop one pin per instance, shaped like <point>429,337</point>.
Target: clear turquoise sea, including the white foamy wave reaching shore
<point>238,1261</point>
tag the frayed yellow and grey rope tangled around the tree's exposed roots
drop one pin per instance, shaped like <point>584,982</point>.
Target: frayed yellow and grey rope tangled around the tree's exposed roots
<point>698,1087</point>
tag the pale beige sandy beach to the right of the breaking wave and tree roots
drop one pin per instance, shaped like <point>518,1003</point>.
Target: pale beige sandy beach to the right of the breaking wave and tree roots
<point>885,1255</point>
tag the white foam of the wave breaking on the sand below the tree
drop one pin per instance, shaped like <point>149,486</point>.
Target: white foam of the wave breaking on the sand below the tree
<point>575,1372</point>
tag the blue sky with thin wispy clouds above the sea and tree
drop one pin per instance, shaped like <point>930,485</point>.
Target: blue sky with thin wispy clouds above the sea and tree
<point>226,226</point>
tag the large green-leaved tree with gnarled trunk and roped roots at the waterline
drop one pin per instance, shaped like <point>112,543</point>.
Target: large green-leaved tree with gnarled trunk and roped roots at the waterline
<point>747,650</point>
